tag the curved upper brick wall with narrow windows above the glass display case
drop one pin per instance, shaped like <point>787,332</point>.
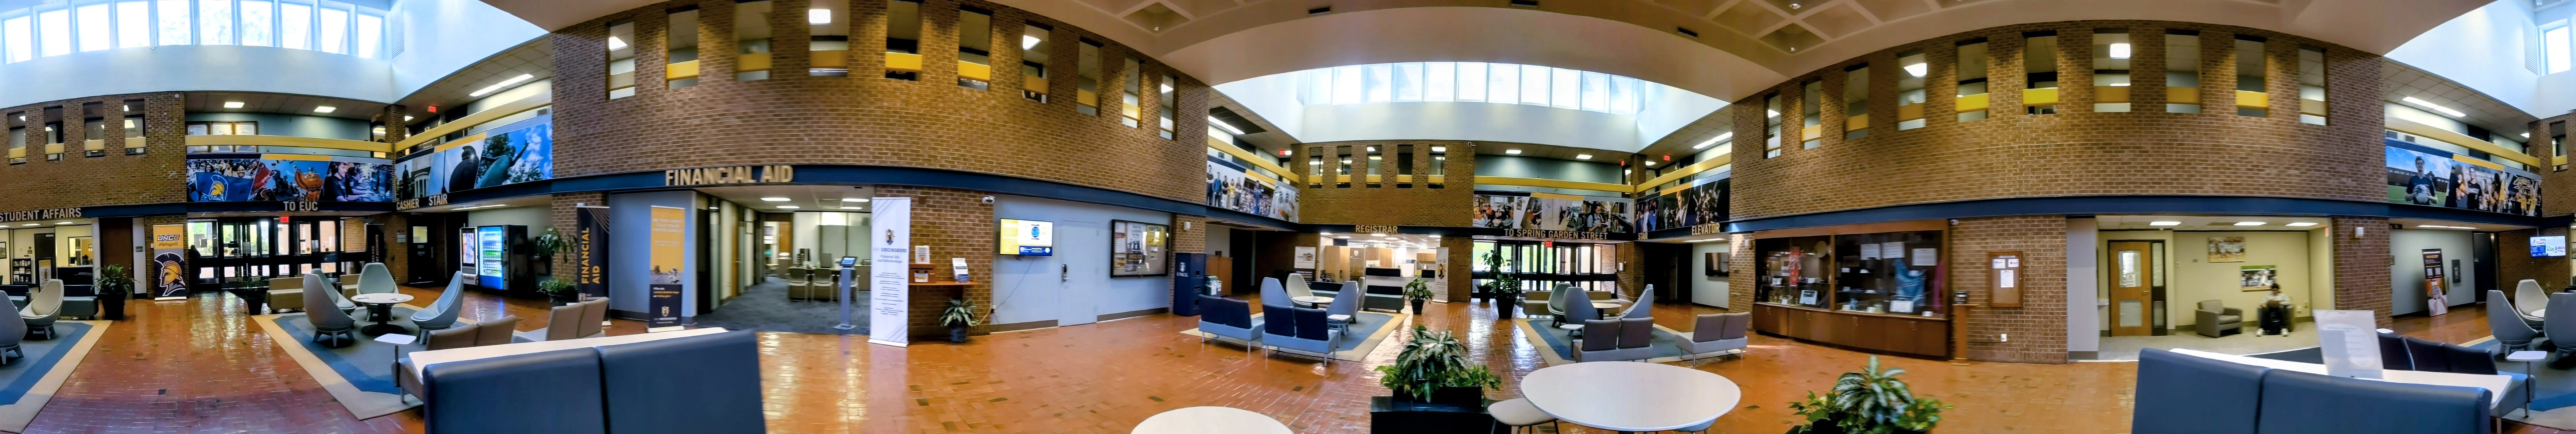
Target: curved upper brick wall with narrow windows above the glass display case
<point>2075,150</point>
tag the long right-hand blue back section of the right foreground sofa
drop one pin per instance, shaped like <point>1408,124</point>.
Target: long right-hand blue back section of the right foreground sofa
<point>2322,404</point>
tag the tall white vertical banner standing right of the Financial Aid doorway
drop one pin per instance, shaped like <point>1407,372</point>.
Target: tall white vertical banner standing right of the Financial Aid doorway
<point>890,302</point>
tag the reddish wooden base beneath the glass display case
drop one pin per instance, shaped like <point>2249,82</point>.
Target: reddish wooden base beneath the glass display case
<point>1884,333</point>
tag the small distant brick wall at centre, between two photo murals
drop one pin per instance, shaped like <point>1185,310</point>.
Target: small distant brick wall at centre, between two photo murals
<point>1390,204</point>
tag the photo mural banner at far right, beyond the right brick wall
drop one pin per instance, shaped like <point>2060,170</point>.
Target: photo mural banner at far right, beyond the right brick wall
<point>2425,176</point>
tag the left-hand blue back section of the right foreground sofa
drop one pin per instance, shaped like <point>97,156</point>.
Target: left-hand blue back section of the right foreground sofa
<point>2186,394</point>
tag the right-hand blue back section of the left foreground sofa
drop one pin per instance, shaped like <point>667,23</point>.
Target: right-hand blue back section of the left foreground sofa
<point>720,392</point>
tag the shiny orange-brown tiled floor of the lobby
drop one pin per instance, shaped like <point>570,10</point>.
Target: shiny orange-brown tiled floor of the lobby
<point>200,366</point>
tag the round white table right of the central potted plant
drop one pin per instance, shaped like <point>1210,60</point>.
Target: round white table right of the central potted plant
<point>1629,397</point>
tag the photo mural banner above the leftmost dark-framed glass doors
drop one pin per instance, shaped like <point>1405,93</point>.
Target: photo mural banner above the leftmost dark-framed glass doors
<point>231,178</point>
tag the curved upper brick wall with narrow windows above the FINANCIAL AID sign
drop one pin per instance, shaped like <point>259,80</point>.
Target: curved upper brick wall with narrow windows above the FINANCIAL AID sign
<point>867,119</point>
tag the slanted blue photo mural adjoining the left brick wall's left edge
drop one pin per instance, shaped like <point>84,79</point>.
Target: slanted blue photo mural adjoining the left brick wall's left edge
<point>509,155</point>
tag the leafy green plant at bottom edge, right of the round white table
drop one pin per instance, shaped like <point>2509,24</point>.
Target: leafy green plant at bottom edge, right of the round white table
<point>1869,402</point>
